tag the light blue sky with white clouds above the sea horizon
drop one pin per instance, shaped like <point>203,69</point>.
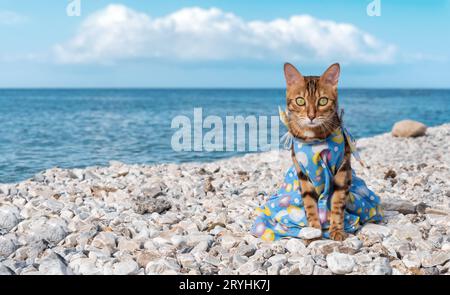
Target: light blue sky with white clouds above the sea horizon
<point>222,43</point>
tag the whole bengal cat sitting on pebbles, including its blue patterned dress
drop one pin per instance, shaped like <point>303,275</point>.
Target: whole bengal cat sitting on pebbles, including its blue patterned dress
<point>320,189</point>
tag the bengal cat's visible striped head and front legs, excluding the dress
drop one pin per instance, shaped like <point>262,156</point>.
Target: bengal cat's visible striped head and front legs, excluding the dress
<point>312,102</point>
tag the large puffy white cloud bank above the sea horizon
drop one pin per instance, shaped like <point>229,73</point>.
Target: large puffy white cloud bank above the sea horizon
<point>195,34</point>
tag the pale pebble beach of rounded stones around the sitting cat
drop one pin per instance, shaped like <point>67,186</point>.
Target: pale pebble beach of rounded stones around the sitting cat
<point>195,218</point>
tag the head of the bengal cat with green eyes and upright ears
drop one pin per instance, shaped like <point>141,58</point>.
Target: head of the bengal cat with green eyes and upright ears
<point>312,102</point>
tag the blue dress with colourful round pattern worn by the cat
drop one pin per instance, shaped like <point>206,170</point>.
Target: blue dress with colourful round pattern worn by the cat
<point>284,215</point>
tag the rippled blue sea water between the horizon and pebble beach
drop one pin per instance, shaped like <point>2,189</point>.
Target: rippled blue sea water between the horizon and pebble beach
<point>40,129</point>
